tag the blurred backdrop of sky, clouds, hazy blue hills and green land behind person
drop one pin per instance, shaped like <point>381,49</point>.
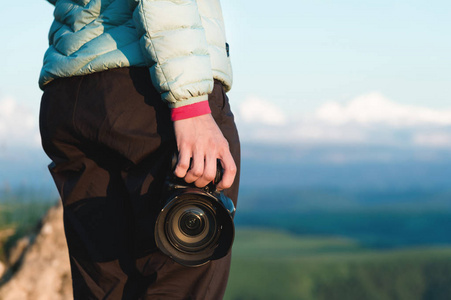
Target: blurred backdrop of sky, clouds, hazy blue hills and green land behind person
<point>344,114</point>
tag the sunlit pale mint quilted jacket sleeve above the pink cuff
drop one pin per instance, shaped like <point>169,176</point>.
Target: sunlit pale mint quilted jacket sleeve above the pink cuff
<point>174,43</point>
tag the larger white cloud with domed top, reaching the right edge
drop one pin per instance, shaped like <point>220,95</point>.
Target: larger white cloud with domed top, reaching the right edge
<point>374,108</point>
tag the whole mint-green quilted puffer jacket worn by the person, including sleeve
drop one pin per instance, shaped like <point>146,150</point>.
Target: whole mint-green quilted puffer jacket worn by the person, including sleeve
<point>181,41</point>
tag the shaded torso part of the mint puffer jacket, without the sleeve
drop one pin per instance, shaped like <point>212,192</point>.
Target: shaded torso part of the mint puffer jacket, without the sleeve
<point>90,36</point>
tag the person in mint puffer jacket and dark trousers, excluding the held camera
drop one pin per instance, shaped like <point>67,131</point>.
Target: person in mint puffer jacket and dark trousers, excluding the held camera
<point>110,137</point>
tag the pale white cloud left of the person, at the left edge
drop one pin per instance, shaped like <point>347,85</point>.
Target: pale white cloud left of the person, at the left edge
<point>18,125</point>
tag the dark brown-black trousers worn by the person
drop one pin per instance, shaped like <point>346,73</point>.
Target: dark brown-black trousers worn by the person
<point>111,139</point>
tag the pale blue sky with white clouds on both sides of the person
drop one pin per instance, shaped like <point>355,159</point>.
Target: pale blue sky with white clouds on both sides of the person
<point>304,71</point>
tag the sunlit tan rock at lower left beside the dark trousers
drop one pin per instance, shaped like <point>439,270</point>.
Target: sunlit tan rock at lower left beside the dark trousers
<point>42,270</point>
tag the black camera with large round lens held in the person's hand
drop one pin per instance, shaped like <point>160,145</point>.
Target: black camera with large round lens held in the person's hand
<point>195,225</point>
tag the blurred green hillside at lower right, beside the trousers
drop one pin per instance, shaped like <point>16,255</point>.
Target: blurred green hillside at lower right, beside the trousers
<point>276,265</point>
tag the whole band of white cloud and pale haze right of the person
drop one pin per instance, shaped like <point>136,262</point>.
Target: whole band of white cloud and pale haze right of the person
<point>370,119</point>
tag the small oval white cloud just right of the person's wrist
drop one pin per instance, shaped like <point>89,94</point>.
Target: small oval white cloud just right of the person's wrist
<point>255,110</point>
